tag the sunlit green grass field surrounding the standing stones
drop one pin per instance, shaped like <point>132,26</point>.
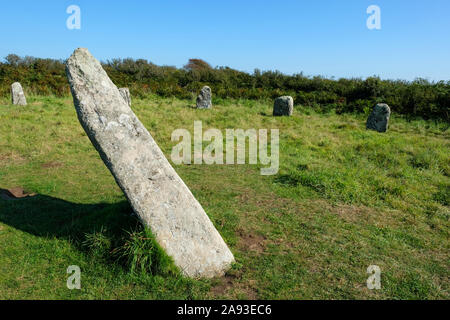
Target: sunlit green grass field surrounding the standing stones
<point>344,198</point>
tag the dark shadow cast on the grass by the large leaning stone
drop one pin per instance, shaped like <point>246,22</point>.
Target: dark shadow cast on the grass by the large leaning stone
<point>45,216</point>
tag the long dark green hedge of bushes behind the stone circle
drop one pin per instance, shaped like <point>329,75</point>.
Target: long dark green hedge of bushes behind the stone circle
<point>419,98</point>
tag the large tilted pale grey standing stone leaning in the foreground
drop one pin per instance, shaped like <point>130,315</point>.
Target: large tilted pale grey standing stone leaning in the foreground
<point>155,191</point>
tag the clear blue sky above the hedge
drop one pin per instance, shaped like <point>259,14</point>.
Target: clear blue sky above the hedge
<point>320,37</point>
